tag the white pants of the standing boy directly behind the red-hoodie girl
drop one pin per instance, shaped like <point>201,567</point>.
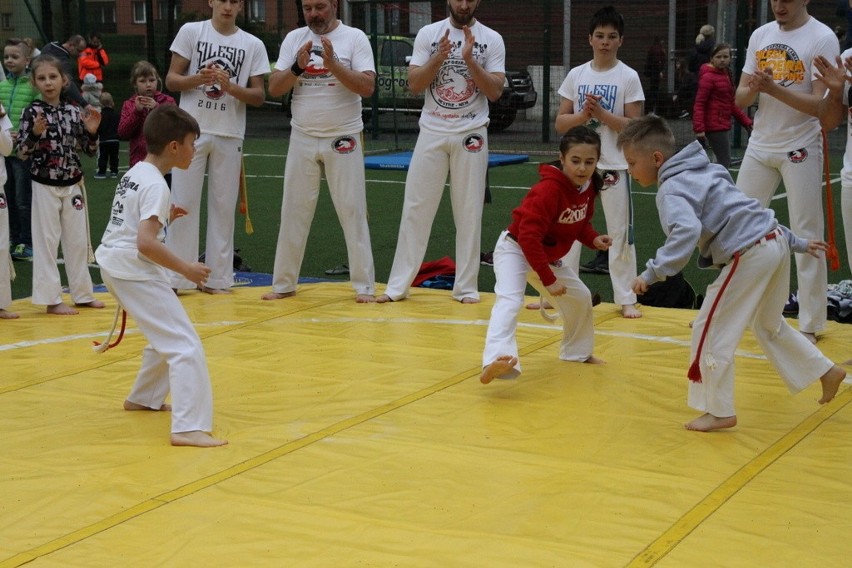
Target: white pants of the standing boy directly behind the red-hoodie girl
<point>615,200</point>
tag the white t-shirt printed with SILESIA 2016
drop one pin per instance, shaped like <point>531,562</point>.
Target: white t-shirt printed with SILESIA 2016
<point>241,54</point>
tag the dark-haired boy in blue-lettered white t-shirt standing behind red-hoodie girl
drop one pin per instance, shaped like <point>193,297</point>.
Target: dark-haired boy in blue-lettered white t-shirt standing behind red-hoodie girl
<point>604,94</point>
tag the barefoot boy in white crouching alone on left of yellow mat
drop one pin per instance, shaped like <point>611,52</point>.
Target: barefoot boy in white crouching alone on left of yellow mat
<point>133,261</point>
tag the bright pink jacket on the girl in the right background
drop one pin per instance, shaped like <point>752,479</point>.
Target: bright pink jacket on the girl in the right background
<point>714,102</point>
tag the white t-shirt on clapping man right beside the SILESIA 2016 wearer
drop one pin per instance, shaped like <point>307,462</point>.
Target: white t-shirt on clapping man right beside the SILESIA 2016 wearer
<point>321,105</point>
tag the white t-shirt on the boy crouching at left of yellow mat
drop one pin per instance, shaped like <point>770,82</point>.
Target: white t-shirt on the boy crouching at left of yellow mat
<point>141,194</point>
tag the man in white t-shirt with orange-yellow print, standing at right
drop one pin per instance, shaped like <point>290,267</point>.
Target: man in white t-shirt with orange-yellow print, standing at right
<point>785,143</point>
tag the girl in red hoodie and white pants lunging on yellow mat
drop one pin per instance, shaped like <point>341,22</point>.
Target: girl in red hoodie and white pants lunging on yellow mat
<point>556,212</point>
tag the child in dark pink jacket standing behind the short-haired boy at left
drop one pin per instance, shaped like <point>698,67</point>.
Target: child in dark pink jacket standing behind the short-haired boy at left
<point>146,84</point>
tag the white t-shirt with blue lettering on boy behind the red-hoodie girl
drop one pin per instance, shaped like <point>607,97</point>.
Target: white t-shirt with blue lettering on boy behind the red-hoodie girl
<point>617,87</point>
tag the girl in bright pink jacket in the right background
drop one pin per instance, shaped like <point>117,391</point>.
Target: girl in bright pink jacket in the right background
<point>714,105</point>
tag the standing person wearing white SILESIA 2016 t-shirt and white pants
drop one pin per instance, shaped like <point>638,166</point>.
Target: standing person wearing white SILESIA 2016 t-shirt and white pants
<point>218,69</point>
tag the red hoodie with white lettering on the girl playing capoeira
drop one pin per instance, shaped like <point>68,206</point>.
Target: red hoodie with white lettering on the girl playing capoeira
<point>551,217</point>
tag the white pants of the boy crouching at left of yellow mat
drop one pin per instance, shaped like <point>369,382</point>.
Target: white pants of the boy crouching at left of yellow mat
<point>174,358</point>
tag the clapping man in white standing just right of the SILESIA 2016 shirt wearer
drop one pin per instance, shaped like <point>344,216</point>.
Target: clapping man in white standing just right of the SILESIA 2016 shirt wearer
<point>329,67</point>
